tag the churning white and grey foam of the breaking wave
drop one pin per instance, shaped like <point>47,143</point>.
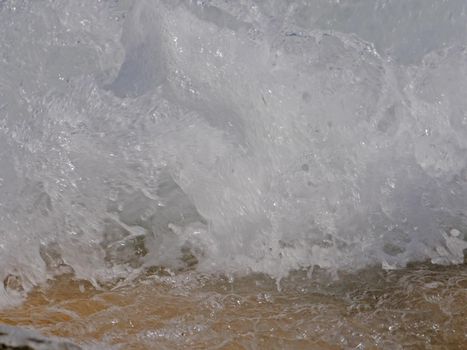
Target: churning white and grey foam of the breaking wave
<point>229,136</point>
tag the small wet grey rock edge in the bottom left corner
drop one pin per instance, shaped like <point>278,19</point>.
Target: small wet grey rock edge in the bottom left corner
<point>14,338</point>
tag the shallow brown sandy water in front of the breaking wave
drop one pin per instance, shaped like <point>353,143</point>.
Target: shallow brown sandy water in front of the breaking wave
<point>420,307</point>
